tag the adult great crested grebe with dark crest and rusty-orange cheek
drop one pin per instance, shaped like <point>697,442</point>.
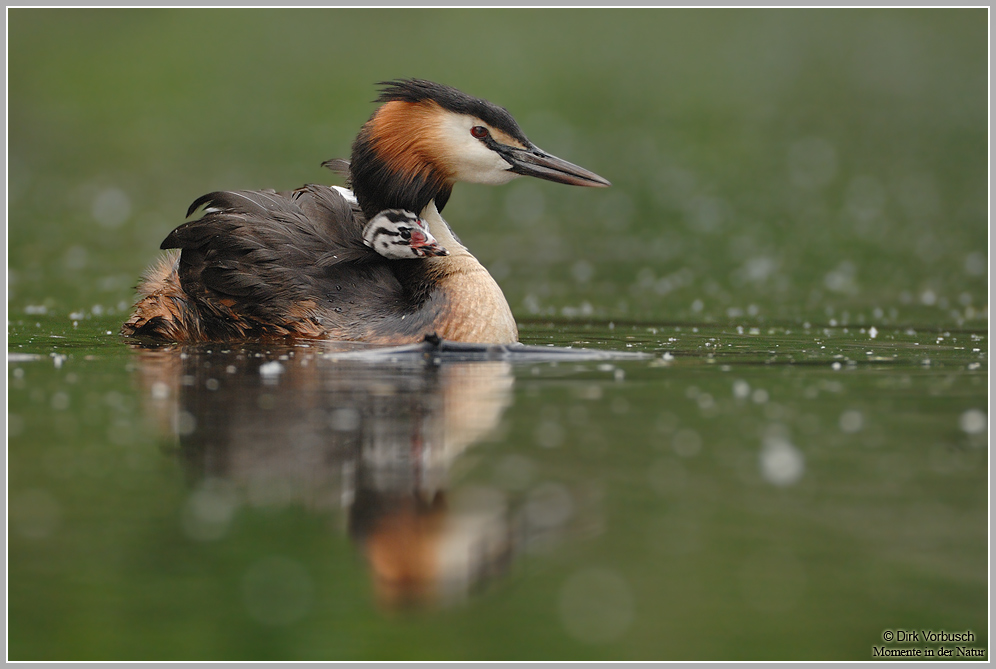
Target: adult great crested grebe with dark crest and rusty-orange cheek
<point>266,264</point>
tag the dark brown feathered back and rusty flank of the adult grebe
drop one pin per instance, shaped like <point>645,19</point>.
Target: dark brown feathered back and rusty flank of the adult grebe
<point>263,264</point>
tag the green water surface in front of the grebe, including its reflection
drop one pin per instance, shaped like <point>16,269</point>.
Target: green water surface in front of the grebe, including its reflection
<point>741,493</point>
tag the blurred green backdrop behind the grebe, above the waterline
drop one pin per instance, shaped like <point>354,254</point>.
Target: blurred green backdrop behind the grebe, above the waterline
<point>778,164</point>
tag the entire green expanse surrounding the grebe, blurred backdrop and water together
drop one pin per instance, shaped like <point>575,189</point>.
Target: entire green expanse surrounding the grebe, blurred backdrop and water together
<point>795,236</point>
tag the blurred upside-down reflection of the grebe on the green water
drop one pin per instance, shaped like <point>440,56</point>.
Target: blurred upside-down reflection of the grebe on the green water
<point>376,440</point>
